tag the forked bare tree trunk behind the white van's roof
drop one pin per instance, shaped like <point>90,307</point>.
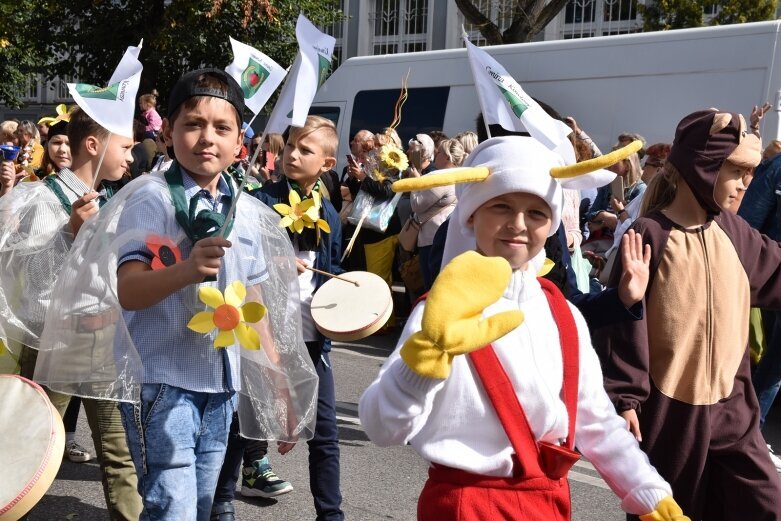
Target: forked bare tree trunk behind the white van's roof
<point>529,17</point>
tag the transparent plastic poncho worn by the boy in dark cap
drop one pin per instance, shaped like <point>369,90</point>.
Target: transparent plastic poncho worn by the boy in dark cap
<point>87,349</point>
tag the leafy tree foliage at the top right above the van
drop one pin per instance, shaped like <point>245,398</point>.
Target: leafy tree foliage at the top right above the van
<point>662,15</point>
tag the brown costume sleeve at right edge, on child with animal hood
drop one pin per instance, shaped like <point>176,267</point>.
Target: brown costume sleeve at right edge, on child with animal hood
<point>761,258</point>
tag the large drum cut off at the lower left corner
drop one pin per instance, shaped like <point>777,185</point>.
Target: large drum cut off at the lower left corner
<point>32,443</point>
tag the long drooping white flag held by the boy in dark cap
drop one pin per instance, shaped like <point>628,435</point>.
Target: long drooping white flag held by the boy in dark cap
<point>308,72</point>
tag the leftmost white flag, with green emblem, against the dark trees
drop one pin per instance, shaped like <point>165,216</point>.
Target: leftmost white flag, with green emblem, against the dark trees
<point>113,106</point>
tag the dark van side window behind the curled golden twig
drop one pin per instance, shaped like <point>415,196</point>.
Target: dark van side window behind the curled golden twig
<point>423,111</point>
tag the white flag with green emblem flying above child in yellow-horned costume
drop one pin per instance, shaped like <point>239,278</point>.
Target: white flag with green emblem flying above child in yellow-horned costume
<point>505,103</point>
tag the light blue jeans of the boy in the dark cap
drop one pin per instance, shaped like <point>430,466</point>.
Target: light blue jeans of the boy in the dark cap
<point>177,440</point>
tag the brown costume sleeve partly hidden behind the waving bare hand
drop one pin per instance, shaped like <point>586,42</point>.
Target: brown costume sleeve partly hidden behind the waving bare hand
<point>623,347</point>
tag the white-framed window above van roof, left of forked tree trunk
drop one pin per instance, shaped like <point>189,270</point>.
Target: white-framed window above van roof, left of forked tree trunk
<point>399,26</point>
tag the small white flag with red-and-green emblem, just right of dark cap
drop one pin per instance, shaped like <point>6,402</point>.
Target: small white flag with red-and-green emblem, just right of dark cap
<point>258,75</point>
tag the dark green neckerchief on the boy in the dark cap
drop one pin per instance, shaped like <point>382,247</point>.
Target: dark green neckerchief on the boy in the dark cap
<point>207,223</point>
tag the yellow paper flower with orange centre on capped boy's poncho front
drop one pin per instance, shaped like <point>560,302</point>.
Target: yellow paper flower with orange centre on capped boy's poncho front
<point>229,316</point>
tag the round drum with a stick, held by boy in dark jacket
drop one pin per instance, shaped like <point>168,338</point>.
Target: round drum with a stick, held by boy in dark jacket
<point>353,310</point>
